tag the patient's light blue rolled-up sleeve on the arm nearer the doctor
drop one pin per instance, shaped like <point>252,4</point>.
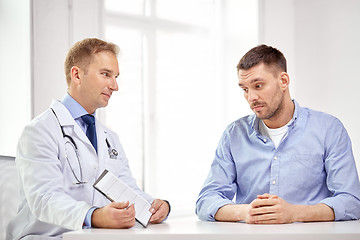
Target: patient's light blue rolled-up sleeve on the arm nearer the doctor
<point>220,186</point>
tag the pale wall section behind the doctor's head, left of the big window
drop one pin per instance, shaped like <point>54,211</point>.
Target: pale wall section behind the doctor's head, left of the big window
<point>57,25</point>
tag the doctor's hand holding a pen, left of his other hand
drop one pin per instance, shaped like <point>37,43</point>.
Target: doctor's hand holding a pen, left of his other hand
<point>114,215</point>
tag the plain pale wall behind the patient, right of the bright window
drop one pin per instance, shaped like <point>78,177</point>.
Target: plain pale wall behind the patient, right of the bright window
<point>320,39</point>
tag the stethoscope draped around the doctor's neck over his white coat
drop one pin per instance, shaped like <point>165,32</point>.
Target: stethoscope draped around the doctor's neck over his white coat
<point>113,153</point>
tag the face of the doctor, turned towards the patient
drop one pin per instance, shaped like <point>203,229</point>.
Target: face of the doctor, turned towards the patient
<point>97,83</point>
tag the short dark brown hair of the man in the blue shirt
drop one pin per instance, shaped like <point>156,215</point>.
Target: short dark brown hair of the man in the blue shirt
<point>262,54</point>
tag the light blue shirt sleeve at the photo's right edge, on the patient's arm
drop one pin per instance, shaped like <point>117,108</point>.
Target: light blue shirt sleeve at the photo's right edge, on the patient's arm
<point>342,178</point>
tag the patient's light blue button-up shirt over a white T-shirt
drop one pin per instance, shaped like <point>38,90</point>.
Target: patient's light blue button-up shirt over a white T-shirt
<point>313,164</point>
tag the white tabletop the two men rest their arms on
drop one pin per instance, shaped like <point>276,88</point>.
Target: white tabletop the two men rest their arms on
<point>192,228</point>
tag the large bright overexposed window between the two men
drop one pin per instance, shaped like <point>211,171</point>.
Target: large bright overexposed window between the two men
<point>171,106</point>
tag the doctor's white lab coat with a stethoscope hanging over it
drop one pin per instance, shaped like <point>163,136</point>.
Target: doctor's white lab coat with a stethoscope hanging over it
<point>51,203</point>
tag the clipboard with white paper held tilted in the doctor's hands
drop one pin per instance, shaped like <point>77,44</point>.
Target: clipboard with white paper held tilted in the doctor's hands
<point>114,189</point>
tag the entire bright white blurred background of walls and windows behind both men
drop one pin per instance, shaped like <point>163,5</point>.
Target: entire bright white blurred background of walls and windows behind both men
<point>178,84</point>
